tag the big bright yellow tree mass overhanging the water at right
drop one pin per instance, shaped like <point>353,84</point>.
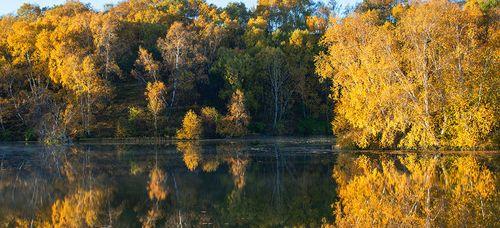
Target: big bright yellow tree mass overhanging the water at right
<point>422,82</point>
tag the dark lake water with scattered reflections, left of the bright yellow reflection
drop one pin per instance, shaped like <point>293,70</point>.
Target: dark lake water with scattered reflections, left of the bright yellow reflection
<point>184,184</point>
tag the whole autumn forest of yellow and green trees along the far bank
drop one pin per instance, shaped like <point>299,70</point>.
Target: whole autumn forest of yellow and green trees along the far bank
<point>382,74</point>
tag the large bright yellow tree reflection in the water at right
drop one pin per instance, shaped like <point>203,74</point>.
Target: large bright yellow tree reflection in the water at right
<point>410,190</point>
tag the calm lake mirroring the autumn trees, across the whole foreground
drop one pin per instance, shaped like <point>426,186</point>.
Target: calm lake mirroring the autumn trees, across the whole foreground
<point>271,182</point>
